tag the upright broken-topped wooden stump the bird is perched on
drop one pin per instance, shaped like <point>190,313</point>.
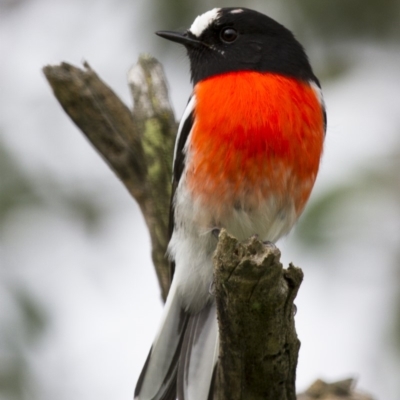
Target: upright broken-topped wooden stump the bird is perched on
<point>258,341</point>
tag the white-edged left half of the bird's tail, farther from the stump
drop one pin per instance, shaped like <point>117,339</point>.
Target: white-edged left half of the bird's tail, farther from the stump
<point>157,380</point>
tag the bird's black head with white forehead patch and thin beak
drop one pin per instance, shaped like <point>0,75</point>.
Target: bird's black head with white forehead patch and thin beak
<point>239,39</point>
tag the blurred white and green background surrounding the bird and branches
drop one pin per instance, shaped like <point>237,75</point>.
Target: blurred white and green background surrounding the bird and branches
<point>79,301</point>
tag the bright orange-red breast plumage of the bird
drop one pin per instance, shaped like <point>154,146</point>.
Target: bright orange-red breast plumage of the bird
<point>255,135</point>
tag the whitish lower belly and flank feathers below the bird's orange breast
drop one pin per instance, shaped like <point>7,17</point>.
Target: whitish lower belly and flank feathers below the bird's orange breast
<point>192,244</point>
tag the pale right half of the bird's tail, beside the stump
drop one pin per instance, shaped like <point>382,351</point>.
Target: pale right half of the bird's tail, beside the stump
<point>199,355</point>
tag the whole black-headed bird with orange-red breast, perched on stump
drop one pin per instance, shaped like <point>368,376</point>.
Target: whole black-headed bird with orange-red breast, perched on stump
<point>246,156</point>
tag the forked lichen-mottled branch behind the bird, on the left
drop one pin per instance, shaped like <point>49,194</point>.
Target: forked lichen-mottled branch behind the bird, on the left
<point>137,145</point>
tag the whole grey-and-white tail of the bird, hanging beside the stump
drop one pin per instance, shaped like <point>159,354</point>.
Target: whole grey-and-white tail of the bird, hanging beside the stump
<point>183,357</point>
